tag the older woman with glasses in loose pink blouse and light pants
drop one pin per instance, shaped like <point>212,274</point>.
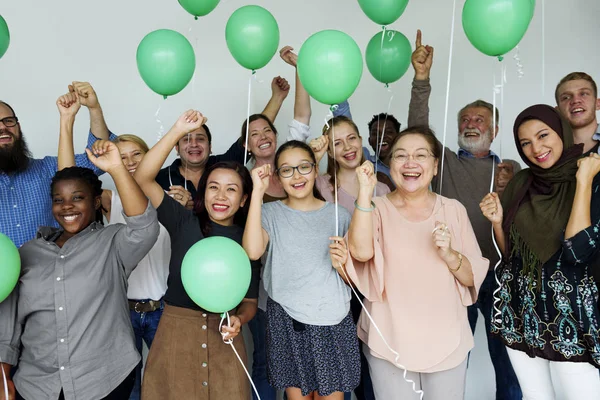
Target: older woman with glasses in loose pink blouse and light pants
<point>415,258</point>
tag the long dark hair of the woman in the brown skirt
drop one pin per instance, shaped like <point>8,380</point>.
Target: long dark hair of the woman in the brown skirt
<point>241,215</point>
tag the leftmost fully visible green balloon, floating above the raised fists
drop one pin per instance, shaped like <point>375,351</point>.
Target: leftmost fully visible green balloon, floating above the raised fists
<point>166,61</point>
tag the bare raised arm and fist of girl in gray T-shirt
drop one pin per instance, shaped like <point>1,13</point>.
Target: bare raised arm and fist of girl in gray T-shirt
<point>255,237</point>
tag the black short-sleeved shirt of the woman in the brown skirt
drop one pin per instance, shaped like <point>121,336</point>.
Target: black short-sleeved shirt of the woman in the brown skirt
<point>184,229</point>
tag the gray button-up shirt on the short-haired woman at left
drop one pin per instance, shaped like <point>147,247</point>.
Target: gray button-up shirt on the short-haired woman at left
<point>72,317</point>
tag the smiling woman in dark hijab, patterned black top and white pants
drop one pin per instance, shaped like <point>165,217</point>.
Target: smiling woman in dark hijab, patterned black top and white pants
<point>547,227</point>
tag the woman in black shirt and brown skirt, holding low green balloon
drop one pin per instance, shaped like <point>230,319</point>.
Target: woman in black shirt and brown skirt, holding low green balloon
<point>188,358</point>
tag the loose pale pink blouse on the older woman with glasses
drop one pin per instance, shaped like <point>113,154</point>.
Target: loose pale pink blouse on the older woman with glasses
<point>417,303</point>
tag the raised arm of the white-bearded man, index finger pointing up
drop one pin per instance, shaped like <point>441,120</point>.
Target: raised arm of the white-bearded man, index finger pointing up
<point>422,60</point>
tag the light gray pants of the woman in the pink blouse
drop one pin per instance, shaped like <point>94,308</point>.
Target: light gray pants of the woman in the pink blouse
<point>389,383</point>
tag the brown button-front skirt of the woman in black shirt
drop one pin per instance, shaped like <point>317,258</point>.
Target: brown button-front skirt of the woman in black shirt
<point>188,360</point>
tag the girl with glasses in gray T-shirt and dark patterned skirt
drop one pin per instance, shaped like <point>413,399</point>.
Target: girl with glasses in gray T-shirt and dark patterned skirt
<point>312,347</point>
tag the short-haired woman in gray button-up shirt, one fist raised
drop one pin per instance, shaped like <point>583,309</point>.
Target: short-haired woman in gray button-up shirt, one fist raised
<point>72,334</point>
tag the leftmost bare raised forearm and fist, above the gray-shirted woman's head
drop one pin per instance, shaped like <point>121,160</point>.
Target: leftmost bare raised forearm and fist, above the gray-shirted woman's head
<point>68,106</point>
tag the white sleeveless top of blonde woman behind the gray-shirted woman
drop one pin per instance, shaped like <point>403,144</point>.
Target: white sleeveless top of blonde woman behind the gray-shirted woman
<point>149,279</point>
